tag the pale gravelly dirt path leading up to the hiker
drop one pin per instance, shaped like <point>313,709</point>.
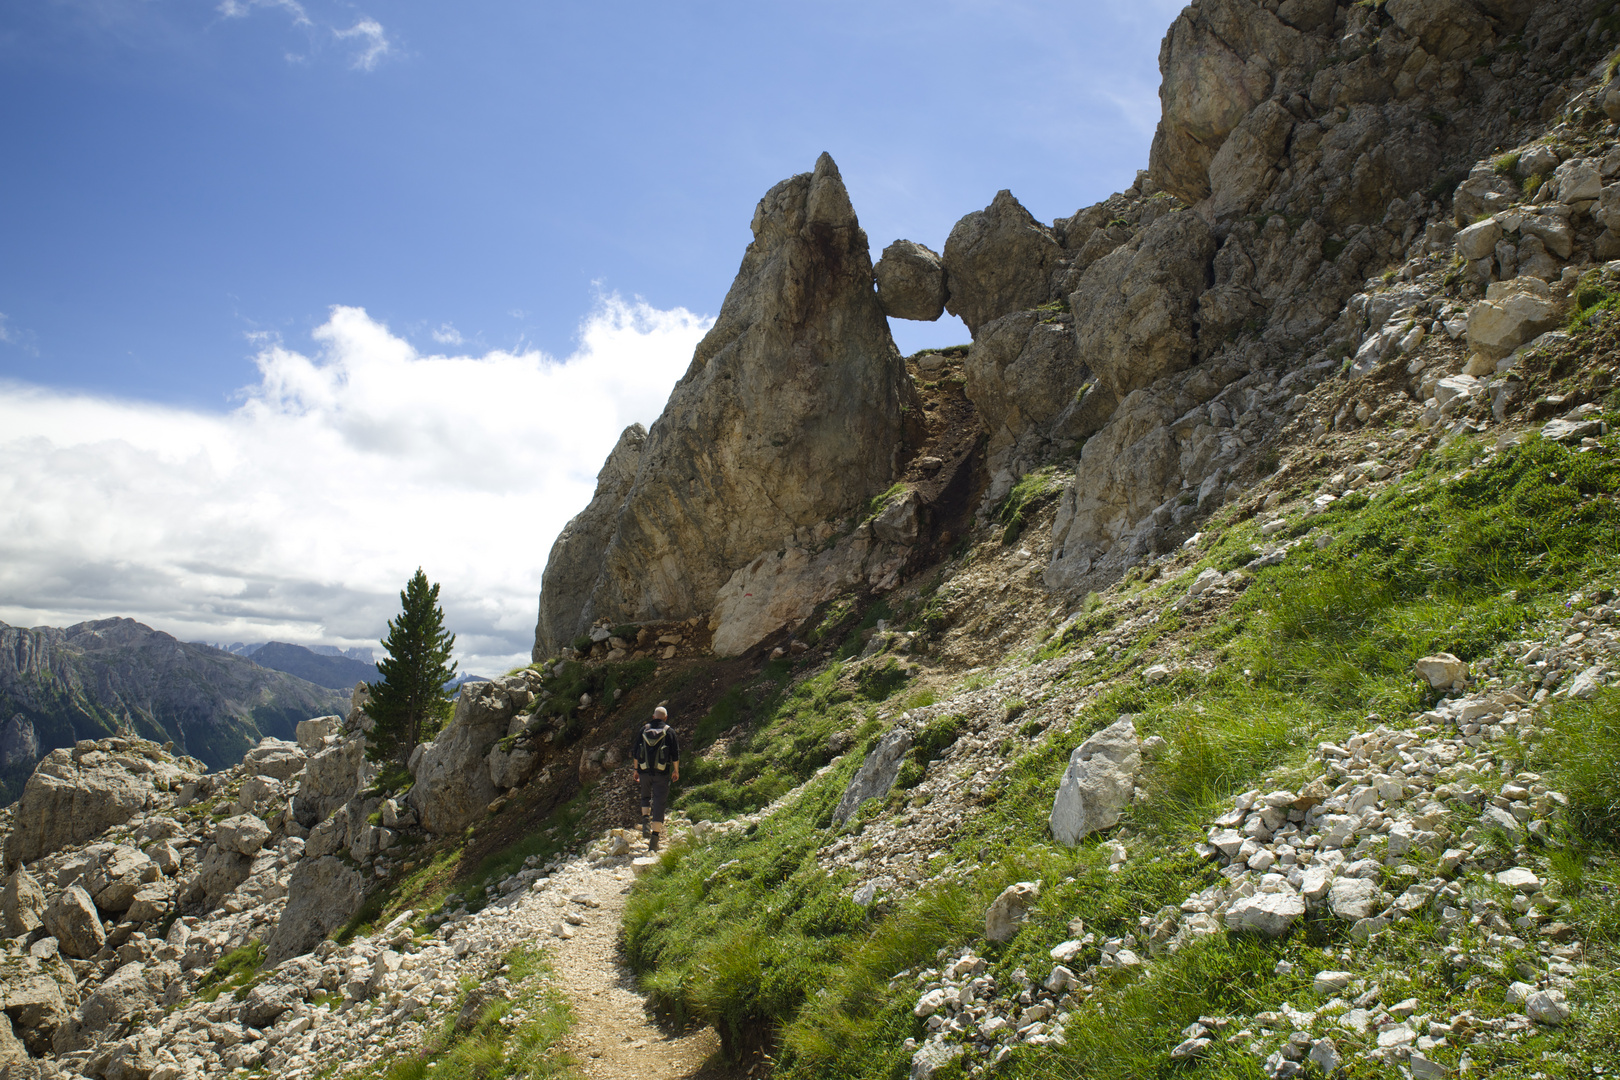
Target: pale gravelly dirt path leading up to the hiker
<point>616,1035</point>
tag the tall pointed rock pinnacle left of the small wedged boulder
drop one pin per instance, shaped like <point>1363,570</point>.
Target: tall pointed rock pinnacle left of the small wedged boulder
<point>788,417</point>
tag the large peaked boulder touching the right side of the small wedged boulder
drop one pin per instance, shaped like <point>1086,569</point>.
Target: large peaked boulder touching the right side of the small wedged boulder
<point>997,261</point>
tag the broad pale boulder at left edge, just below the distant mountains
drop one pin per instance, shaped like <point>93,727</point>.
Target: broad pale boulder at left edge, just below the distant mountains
<point>77,794</point>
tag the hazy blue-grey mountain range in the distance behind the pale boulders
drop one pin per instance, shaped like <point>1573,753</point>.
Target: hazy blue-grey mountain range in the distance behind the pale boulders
<point>119,676</point>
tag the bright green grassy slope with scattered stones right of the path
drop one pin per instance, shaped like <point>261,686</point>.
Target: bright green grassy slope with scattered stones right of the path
<point>752,935</point>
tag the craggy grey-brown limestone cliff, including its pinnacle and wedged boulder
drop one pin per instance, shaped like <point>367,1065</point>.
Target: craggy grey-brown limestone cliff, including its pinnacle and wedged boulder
<point>1149,341</point>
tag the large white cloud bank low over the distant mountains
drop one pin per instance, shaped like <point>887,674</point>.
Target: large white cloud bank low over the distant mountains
<point>301,514</point>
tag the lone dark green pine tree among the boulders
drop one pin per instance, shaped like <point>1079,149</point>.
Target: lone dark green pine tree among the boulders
<point>409,704</point>
